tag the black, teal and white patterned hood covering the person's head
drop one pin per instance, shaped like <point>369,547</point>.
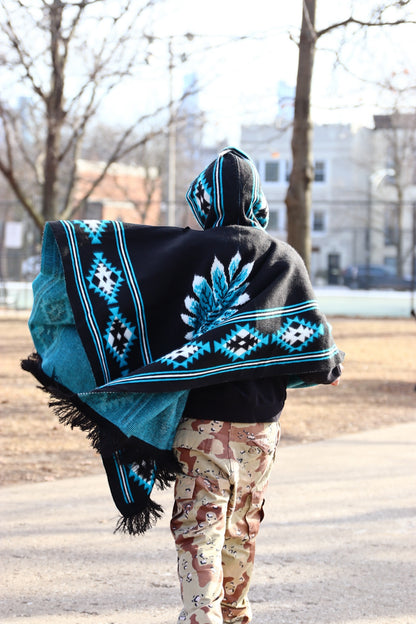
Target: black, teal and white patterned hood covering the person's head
<point>228,192</point>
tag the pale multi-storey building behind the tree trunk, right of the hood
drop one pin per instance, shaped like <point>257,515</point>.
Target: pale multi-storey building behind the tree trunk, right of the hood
<point>353,196</point>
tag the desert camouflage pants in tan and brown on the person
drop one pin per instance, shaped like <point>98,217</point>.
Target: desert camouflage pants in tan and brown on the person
<point>217,514</point>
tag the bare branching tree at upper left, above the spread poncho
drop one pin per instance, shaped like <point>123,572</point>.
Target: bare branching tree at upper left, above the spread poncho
<point>65,57</point>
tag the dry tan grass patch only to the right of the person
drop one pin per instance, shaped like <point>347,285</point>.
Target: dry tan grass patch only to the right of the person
<point>377,388</point>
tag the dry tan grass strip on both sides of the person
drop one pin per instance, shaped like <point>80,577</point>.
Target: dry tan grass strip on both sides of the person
<point>377,390</point>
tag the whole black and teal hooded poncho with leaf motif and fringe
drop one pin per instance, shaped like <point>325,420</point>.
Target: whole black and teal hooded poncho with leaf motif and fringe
<point>128,318</point>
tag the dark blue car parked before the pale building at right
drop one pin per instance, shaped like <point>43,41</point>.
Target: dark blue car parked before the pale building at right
<point>372,276</point>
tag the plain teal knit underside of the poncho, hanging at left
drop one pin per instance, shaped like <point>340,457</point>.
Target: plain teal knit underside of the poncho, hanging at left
<point>151,417</point>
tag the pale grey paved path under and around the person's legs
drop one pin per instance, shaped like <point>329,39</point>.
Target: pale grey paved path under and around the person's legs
<point>338,544</point>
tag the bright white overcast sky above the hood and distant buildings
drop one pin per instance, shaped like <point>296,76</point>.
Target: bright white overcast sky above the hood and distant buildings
<point>239,79</point>
